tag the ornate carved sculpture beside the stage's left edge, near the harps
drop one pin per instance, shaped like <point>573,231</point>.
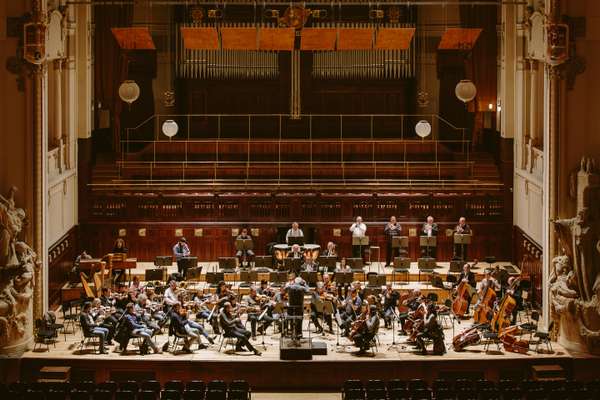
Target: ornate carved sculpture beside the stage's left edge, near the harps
<point>18,263</point>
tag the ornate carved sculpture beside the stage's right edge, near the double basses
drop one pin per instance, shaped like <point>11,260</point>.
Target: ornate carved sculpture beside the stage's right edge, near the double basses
<point>575,282</point>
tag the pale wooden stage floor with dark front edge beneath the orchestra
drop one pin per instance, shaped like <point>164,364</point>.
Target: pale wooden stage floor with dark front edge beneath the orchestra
<point>269,373</point>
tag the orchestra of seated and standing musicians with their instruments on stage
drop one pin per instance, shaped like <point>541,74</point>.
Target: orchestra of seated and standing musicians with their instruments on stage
<point>336,306</point>
